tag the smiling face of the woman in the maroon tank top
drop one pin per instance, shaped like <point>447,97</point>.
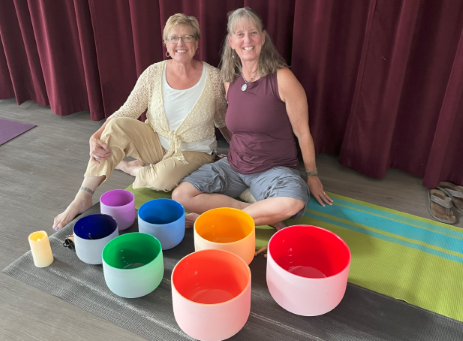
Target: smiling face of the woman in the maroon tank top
<point>246,40</point>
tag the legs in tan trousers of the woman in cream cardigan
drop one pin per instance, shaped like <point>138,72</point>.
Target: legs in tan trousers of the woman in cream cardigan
<point>129,137</point>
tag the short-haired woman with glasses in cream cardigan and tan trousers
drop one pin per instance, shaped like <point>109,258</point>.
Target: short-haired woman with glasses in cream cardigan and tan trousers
<point>183,99</point>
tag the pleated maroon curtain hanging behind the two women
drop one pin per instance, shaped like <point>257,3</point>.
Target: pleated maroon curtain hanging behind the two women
<point>384,78</point>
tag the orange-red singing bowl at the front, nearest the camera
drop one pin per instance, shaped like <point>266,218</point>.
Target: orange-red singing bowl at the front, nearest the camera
<point>211,294</point>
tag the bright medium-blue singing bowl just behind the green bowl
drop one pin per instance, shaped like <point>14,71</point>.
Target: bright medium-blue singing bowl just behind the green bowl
<point>163,219</point>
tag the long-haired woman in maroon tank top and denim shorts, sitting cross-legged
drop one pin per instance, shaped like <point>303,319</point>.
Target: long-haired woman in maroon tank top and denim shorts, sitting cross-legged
<point>266,106</point>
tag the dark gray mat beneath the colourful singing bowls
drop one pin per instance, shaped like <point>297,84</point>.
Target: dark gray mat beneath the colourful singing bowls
<point>362,314</point>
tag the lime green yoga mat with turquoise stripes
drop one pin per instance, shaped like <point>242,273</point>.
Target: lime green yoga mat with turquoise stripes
<point>396,254</point>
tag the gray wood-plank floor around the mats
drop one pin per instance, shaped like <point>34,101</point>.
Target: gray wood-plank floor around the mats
<point>40,172</point>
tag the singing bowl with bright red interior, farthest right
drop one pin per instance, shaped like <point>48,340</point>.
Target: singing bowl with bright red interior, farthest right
<point>307,269</point>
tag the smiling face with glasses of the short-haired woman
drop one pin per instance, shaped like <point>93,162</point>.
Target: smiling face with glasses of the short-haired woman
<point>180,51</point>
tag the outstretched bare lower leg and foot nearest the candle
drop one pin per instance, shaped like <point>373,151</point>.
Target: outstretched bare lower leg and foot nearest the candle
<point>81,203</point>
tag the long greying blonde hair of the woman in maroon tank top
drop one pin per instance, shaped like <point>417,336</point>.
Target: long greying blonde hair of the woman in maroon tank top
<point>269,60</point>
